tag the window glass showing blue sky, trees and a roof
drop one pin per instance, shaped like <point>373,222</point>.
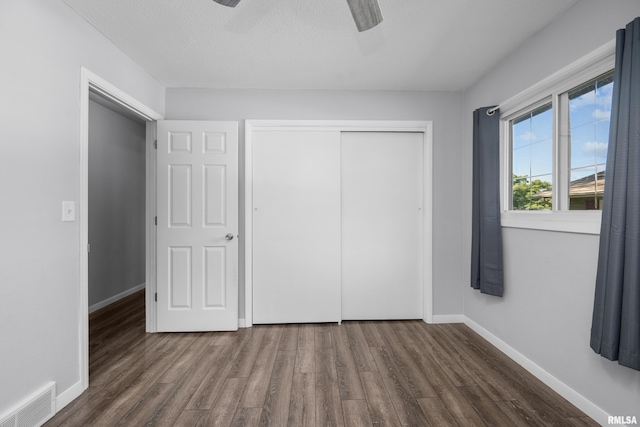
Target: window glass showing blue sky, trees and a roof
<point>584,112</point>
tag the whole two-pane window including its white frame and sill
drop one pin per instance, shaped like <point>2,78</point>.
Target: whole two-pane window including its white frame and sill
<point>555,138</point>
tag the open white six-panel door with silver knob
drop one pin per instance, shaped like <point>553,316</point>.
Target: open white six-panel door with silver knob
<point>197,209</point>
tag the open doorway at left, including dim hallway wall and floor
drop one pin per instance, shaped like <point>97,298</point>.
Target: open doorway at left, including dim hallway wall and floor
<point>116,222</point>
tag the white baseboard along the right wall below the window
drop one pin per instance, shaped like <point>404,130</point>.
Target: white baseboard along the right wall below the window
<point>558,386</point>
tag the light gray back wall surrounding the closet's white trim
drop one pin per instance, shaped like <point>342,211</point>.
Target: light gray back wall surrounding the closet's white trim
<point>441,107</point>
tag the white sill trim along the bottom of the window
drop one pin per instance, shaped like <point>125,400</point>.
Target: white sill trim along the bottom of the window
<point>585,222</point>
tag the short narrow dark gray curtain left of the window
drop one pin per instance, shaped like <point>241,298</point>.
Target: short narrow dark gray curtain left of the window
<point>486,231</point>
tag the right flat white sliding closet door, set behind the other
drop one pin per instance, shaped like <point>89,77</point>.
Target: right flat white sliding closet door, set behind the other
<point>382,225</point>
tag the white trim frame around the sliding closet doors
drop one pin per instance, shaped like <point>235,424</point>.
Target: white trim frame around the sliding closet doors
<point>424,127</point>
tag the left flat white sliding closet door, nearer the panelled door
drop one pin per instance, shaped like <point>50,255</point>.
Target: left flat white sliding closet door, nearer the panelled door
<point>296,223</point>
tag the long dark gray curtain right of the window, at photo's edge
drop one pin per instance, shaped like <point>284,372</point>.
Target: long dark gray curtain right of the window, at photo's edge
<point>615,329</point>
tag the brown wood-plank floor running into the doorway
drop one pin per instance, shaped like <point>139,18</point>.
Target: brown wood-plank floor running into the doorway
<point>355,374</point>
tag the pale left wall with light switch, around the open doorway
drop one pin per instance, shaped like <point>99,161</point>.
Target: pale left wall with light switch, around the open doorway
<point>43,44</point>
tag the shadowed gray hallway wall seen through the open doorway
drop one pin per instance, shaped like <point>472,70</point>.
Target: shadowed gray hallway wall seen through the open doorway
<point>116,203</point>
